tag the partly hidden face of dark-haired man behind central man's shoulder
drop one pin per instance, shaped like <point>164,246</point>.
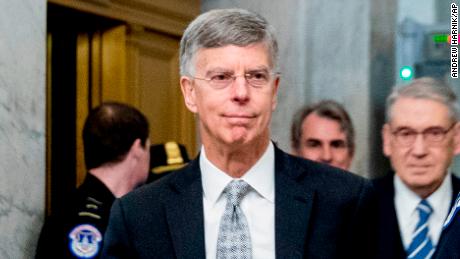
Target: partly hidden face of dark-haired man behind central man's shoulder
<point>322,140</point>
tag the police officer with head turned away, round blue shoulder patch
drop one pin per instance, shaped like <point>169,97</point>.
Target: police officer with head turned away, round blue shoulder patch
<point>117,153</point>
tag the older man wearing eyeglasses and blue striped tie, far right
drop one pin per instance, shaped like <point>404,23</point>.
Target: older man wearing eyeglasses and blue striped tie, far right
<point>420,137</point>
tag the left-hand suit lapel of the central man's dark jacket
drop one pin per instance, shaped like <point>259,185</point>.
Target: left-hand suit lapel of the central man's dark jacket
<point>184,212</point>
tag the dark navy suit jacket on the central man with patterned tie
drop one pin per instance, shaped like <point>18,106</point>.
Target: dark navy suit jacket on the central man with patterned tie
<point>320,212</point>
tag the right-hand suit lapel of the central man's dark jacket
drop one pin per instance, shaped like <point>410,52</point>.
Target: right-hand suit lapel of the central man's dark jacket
<point>293,206</point>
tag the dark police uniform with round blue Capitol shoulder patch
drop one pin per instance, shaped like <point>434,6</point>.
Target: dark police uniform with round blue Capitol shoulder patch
<point>78,232</point>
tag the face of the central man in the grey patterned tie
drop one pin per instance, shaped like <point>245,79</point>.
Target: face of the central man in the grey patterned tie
<point>239,113</point>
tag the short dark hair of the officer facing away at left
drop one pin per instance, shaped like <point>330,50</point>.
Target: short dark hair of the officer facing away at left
<point>109,132</point>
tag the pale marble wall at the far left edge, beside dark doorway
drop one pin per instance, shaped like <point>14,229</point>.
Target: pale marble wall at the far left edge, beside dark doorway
<point>22,125</point>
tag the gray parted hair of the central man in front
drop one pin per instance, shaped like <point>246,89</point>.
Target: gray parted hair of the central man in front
<point>222,27</point>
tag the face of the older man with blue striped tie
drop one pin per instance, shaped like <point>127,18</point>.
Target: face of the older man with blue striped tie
<point>421,165</point>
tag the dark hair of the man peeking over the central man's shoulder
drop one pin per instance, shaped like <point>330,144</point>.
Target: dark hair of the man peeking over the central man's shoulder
<point>327,109</point>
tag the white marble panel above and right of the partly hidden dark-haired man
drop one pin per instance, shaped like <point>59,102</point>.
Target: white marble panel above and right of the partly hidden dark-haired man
<point>339,61</point>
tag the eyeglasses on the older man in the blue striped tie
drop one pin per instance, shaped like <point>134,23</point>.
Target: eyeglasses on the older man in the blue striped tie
<point>433,135</point>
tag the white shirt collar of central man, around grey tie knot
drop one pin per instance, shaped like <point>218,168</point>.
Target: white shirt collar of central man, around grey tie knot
<point>261,176</point>
